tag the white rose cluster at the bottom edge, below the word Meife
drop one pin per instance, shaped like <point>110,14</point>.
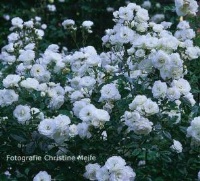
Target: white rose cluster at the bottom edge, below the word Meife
<point>115,169</point>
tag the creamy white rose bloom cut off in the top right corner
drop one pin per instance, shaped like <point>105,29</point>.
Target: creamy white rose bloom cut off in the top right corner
<point>185,7</point>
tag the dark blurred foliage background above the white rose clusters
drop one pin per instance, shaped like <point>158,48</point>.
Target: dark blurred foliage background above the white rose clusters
<point>53,12</point>
